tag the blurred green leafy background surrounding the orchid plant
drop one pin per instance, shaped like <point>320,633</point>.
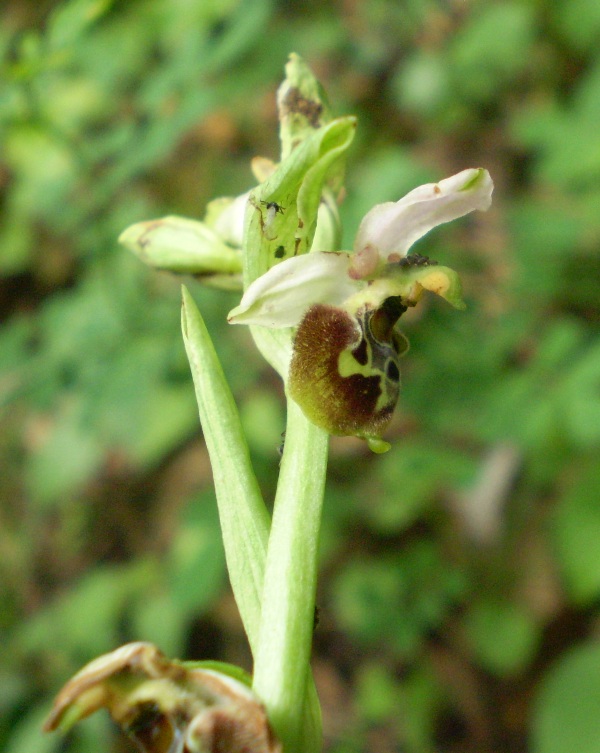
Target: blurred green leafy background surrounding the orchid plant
<point>459,595</point>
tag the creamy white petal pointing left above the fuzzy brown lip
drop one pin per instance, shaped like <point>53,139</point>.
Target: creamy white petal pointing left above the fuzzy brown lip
<point>281,297</point>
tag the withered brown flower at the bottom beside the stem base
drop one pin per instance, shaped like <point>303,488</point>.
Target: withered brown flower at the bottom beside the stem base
<point>166,707</point>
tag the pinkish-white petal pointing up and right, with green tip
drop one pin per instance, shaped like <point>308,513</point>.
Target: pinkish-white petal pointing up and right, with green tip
<point>392,228</point>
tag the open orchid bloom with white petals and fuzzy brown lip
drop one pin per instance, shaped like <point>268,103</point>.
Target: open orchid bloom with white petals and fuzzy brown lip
<point>344,370</point>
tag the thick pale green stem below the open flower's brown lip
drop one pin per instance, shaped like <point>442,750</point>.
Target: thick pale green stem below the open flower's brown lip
<point>281,669</point>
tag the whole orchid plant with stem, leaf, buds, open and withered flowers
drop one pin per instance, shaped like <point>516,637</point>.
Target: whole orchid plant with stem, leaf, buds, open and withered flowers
<point>326,321</point>
